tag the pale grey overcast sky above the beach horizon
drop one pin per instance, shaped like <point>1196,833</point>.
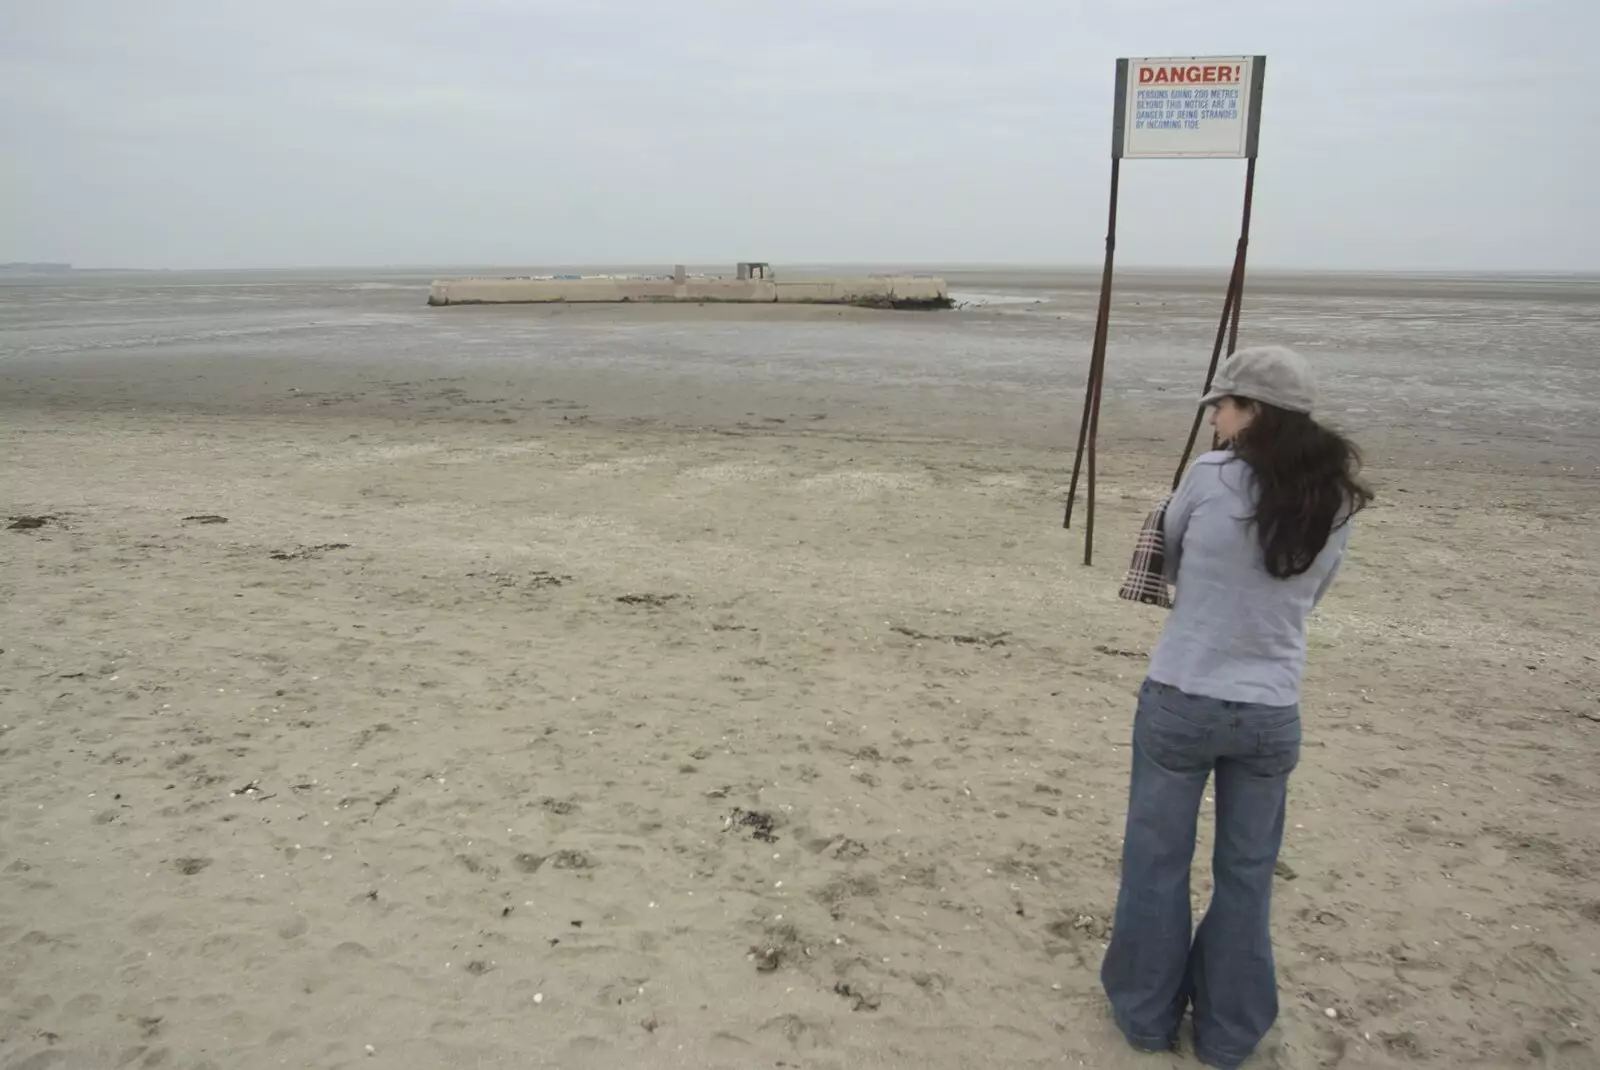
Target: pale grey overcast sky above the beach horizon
<point>1446,135</point>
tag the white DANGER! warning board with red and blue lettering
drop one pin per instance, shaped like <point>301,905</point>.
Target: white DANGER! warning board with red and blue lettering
<point>1188,108</point>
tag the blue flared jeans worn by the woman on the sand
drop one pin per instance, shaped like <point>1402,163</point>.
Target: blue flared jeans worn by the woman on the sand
<point>1159,964</point>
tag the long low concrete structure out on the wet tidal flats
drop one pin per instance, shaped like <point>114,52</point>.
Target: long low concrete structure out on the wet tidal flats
<point>753,284</point>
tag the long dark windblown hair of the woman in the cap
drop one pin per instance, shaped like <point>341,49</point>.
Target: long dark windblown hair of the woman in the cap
<point>1308,479</point>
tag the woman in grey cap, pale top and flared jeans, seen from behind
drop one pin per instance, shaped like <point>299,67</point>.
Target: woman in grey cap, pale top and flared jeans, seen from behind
<point>1255,537</point>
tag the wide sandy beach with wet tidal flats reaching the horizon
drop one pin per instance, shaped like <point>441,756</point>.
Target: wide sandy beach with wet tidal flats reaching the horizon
<point>678,687</point>
